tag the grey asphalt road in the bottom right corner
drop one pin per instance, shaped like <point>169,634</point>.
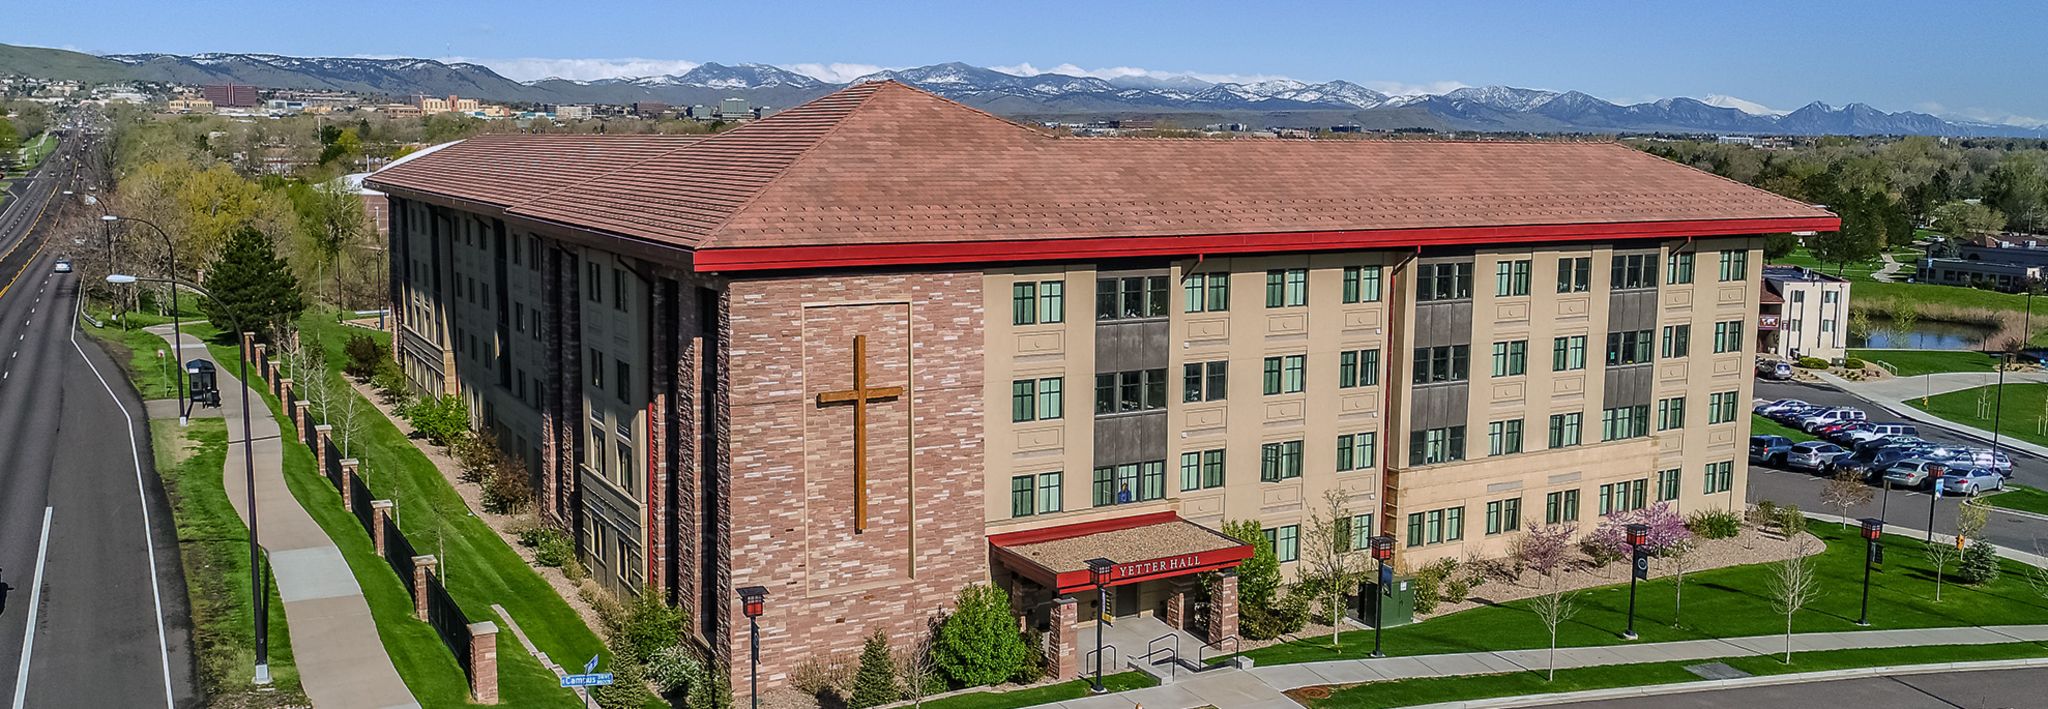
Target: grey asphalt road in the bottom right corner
<point>1992,690</point>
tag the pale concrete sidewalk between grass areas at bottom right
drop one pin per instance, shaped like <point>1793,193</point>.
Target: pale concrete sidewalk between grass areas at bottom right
<point>1263,687</point>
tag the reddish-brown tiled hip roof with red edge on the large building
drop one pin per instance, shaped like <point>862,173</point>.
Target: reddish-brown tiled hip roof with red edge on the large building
<point>910,177</point>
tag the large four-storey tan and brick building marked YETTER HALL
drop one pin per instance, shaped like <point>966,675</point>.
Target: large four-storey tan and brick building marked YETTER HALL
<point>882,347</point>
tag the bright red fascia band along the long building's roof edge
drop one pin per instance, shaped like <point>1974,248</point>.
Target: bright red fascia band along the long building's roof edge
<point>1215,245</point>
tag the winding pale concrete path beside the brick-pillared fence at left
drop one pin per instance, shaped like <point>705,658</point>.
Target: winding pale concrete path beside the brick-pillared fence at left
<point>333,634</point>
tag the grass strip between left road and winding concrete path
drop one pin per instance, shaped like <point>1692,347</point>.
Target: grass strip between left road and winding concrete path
<point>214,552</point>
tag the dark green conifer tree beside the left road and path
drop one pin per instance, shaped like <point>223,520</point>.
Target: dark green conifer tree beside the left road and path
<point>255,288</point>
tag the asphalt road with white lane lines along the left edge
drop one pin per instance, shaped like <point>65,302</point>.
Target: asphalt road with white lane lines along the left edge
<point>91,593</point>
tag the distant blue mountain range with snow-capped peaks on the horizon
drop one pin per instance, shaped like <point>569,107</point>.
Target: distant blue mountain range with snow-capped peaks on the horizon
<point>1041,97</point>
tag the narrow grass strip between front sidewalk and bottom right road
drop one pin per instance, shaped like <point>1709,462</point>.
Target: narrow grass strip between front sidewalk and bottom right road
<point>1422,692</point>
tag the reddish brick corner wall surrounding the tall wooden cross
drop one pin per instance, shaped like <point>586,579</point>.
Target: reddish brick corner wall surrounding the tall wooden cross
<point>794,468</point>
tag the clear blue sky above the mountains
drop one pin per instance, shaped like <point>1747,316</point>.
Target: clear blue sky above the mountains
<point>1957,58</point>
